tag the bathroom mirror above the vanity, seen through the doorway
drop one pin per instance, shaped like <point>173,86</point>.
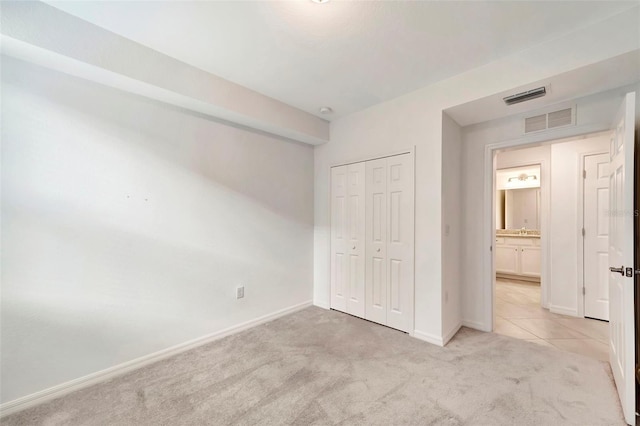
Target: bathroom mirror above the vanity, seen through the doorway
<point>518,208</point>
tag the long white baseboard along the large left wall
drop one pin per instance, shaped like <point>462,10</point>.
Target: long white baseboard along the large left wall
<point>57,391</point>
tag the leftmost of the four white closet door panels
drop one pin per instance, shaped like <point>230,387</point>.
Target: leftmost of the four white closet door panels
<point>339,238</point>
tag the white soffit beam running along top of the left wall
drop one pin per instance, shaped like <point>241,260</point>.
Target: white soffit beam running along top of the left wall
<point>46,36</point>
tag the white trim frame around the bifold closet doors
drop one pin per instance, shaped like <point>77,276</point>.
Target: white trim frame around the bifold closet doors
<point>411,150</point>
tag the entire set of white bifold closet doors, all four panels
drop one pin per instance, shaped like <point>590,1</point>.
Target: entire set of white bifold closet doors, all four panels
<point>372,233</point>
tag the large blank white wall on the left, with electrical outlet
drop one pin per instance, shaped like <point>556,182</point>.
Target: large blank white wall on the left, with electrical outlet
<point>128,224</point>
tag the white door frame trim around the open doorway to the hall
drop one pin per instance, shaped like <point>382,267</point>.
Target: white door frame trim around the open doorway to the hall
<point>488,208</point>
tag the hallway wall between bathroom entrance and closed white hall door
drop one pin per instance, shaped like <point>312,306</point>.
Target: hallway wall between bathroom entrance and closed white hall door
<point>565,231</point>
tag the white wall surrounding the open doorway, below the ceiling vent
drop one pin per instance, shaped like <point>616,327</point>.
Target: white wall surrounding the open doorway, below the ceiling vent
<point>594,113</point>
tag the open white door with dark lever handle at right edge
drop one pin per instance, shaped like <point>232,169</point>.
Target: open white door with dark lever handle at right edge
<point>621,258</point>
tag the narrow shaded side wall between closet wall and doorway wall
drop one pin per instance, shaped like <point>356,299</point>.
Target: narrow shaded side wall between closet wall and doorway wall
<point>451,229</point>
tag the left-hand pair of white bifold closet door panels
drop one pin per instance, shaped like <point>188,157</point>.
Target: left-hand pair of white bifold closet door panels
<point>347,238</point>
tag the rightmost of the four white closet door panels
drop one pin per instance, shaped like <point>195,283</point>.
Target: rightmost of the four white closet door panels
<point>400,211</point>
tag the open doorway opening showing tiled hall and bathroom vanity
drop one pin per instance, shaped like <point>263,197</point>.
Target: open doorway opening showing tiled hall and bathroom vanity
<point>550,276</point>
